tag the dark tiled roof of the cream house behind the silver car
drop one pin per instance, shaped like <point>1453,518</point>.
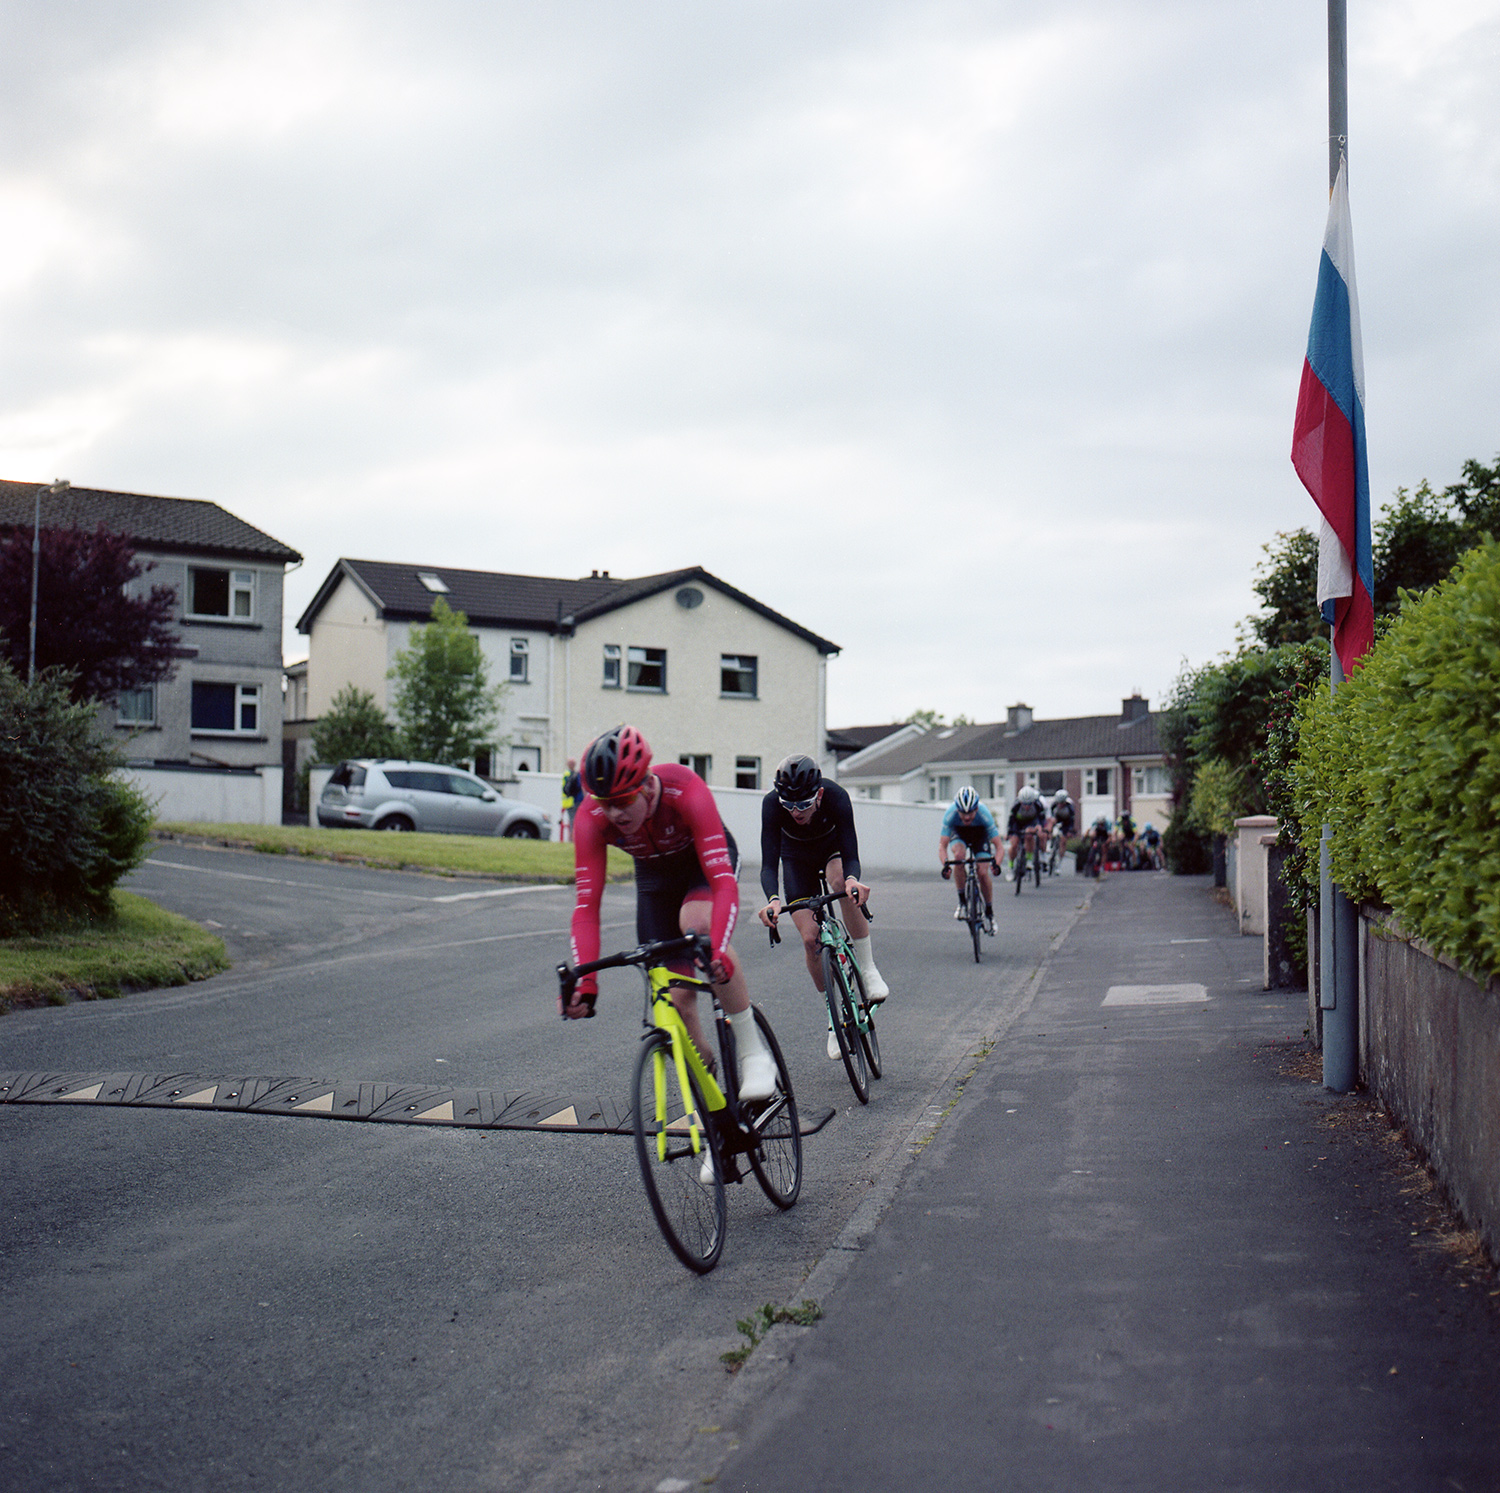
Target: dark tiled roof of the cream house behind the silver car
<point>496,599</point>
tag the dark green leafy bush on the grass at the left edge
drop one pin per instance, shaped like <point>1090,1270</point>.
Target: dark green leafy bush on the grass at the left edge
<point>70,831</point>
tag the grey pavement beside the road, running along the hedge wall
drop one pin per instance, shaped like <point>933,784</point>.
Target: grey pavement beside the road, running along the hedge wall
<point>1139,1257</point>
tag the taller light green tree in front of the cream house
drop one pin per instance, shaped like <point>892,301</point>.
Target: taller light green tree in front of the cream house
<point>445,701</point>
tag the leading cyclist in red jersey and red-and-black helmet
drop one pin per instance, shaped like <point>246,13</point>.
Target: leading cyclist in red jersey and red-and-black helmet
<point>686,883</point>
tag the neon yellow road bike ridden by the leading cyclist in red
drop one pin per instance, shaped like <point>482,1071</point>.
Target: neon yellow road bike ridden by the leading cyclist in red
<point>692,1135</point>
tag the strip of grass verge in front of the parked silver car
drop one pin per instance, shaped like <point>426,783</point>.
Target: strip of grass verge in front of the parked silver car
<point>440,855</point>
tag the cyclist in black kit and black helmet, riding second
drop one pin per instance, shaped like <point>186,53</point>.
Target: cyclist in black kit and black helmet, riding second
<point>808,829</point>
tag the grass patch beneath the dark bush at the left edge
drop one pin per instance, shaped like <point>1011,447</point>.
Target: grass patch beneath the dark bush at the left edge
<point>143,949</point>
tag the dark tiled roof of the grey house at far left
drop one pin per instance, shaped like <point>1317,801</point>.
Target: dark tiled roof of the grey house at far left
<point>188,526</point>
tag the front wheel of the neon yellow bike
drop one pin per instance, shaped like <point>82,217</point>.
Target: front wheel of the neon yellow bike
<point>685,1182</point>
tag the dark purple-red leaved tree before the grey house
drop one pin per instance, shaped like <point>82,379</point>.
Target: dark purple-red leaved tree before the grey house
<point>86,622</point>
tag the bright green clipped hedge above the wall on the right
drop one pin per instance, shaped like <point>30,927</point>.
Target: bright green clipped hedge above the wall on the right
<point>1405,765</point>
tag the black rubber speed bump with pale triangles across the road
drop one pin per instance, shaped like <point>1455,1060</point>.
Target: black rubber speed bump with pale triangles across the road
<point>325,1099</point>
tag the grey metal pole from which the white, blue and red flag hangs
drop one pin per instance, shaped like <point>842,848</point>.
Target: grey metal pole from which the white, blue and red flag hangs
<point>1339,922</point>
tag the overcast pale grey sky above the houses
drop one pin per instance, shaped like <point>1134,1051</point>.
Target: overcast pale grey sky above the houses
<point>964,334</point>
